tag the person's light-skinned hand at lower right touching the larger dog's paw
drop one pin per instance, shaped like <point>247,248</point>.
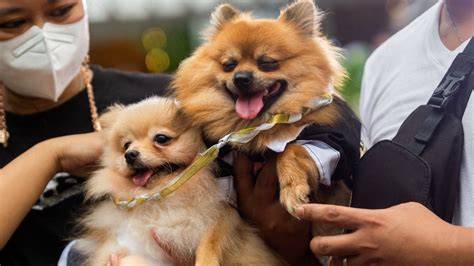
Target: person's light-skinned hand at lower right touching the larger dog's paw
<point>406,234</point>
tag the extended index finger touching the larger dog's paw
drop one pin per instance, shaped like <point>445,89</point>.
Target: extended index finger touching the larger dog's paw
<point>343,217</point>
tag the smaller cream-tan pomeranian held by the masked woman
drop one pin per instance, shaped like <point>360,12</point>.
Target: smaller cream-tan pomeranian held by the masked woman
<point>148,144</point>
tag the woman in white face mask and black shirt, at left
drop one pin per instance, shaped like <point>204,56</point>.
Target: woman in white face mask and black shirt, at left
<point>47,90</point>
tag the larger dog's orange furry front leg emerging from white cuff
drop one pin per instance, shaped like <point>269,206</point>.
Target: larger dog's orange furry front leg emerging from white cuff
<point>296,171</point>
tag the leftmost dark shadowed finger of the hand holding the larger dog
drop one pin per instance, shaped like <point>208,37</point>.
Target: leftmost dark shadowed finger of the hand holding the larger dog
<point>243,177</point>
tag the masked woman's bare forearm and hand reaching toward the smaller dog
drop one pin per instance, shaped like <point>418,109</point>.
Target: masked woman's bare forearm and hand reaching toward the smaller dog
<point>22,180</point>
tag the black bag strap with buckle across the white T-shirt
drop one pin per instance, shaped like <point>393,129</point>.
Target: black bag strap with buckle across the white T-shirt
<point>449,95</point>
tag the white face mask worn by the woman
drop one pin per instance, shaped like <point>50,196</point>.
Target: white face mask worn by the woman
<point>42,62</point>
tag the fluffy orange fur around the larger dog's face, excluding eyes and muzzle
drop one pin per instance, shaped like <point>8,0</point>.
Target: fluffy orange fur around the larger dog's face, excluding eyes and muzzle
<point>308,64</point>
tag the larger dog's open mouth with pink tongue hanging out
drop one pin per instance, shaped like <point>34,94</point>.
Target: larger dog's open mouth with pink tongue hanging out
<point>249,106</point>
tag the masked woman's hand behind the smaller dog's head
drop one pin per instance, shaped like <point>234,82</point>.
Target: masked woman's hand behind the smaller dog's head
<point>77,154</point>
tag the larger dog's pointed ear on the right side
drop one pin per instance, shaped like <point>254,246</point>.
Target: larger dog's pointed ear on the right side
<point>304,15</point>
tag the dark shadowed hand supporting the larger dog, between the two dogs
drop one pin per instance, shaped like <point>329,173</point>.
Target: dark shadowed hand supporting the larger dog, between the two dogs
<point>258,203</point>
